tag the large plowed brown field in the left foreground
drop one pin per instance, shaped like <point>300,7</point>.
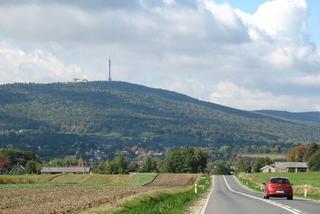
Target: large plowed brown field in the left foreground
<point>73,199</point>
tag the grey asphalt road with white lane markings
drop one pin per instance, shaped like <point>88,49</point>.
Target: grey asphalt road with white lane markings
<point>229,197</point>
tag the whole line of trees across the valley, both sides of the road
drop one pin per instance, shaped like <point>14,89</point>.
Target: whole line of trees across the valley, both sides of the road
<point>179,160</point>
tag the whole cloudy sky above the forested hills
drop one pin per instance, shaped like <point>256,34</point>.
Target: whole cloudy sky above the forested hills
<point>257,54</point>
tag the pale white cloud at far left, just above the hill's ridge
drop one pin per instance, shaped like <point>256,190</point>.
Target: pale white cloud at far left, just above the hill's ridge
<point>35,66</point>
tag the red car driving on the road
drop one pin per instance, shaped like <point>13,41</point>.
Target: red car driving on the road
<point>278,187</point>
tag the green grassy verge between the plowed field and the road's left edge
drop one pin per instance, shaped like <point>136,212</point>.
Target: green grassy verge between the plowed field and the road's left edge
<point>161,201</point>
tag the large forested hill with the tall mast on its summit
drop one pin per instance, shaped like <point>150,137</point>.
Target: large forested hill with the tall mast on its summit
<point>103,117</point>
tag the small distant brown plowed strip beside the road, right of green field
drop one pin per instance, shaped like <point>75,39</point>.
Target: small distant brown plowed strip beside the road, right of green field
<point>173,180</point>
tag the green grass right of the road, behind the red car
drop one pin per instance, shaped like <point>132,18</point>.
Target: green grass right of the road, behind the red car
<point>312,179</point>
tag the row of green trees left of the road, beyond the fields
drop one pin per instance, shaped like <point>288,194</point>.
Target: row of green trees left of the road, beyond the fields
<point>179,160</point>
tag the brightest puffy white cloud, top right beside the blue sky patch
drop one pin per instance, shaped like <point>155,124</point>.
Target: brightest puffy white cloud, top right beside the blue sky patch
<point>282,24</point>
